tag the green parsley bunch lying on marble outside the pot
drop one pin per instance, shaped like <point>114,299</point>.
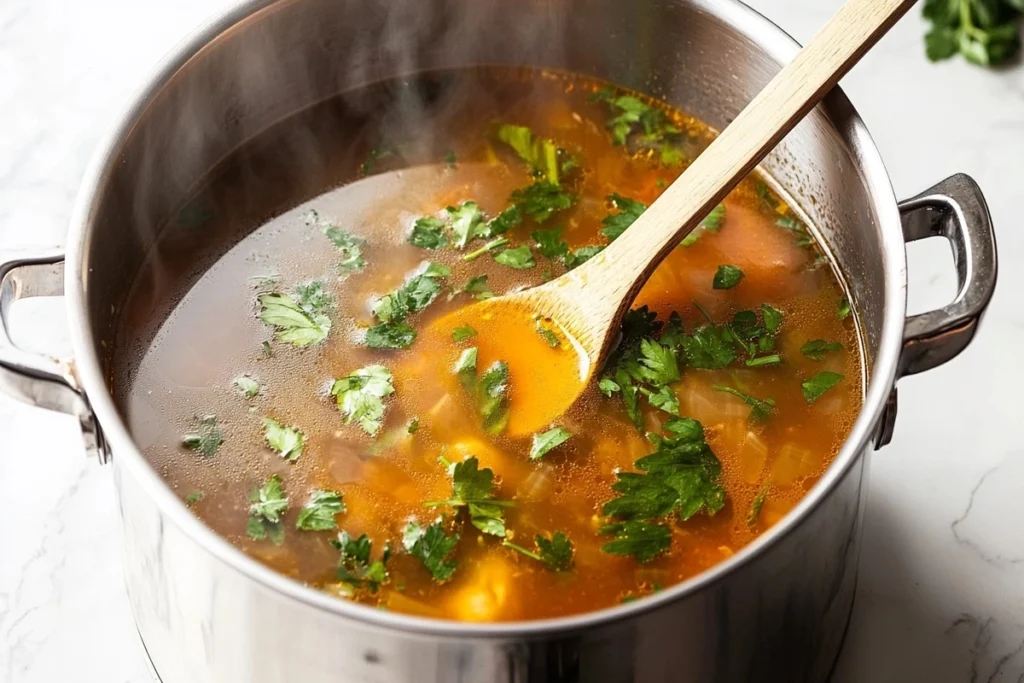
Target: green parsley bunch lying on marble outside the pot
<point>986,32</point>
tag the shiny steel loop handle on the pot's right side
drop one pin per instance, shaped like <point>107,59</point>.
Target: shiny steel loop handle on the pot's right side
<point>957,210</point>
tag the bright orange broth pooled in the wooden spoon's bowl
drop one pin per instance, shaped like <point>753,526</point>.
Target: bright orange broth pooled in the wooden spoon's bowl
<point>547,366</point>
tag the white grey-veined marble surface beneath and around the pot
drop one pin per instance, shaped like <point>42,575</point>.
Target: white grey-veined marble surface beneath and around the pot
<point>942,592</point>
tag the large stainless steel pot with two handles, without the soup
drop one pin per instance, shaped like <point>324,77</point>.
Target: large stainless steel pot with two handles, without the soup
<point>776,612</point>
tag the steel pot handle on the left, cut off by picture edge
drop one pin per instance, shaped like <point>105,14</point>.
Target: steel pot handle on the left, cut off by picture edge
<point>36,379</point>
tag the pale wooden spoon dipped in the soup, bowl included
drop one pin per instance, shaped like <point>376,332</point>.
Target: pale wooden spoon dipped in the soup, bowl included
<point>588,304</point>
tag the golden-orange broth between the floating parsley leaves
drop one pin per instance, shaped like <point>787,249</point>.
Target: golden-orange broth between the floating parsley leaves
<point>186,367</point>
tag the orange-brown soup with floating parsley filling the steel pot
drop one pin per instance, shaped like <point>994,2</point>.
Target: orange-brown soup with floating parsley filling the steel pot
<point>315,397</point>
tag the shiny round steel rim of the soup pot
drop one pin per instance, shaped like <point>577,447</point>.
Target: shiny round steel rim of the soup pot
<point>735,14</point>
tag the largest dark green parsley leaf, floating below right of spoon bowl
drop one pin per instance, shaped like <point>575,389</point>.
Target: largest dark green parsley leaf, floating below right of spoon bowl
<point>681,477</point>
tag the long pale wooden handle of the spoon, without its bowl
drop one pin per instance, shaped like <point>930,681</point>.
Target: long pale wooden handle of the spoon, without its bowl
<point>618,273</point>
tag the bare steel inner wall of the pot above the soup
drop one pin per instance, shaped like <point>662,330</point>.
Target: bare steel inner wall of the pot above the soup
<point>294,54</point>
